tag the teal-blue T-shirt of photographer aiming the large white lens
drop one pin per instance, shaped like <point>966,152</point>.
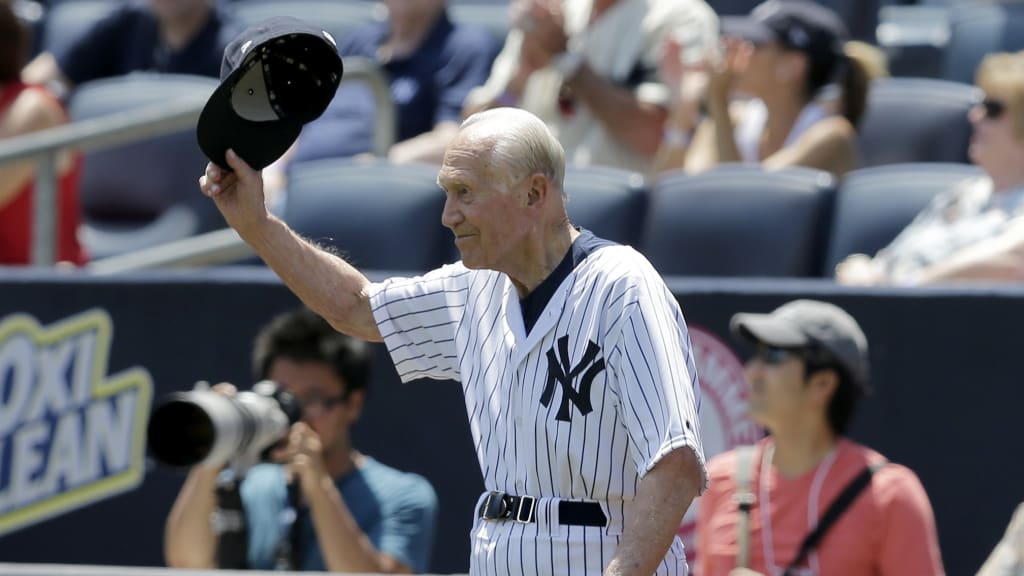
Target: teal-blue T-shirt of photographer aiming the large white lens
<point>396,510</point>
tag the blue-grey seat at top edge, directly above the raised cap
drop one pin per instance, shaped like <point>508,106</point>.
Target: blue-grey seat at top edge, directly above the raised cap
<point>337,17</point>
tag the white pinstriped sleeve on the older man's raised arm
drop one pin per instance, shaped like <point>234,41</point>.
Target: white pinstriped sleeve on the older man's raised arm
<point>418,317</point>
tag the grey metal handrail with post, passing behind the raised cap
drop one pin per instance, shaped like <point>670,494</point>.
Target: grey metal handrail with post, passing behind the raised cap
<point>125,128</point>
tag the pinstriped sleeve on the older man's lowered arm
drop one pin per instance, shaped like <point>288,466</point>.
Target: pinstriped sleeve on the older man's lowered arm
<point>658,384</point>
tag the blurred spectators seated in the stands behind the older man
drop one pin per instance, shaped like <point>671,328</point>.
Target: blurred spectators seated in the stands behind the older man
<point>649,87</point>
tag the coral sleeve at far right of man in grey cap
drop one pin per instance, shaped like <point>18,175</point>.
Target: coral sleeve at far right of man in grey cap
<point>911,544</point>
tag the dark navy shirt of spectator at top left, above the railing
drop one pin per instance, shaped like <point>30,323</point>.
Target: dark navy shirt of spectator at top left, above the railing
<point>129,40</point>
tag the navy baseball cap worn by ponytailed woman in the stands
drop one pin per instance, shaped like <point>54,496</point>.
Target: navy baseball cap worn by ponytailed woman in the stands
<point>796,25</point>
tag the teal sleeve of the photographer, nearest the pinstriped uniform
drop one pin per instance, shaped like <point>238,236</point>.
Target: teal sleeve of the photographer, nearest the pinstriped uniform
<point>408,533</point>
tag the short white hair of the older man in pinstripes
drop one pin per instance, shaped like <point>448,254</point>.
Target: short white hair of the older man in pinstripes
<point>520,142</point>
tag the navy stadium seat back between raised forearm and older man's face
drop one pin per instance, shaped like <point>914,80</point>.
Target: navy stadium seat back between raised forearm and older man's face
<point>379,216</point>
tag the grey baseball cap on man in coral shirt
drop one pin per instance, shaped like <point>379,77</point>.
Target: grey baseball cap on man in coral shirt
<point>809,323</point>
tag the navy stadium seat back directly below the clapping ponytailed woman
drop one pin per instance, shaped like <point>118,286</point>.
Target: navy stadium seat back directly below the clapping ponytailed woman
<point>740,221</point>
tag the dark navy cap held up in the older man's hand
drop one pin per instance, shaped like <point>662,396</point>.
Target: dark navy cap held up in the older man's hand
<point>276,77</point>
